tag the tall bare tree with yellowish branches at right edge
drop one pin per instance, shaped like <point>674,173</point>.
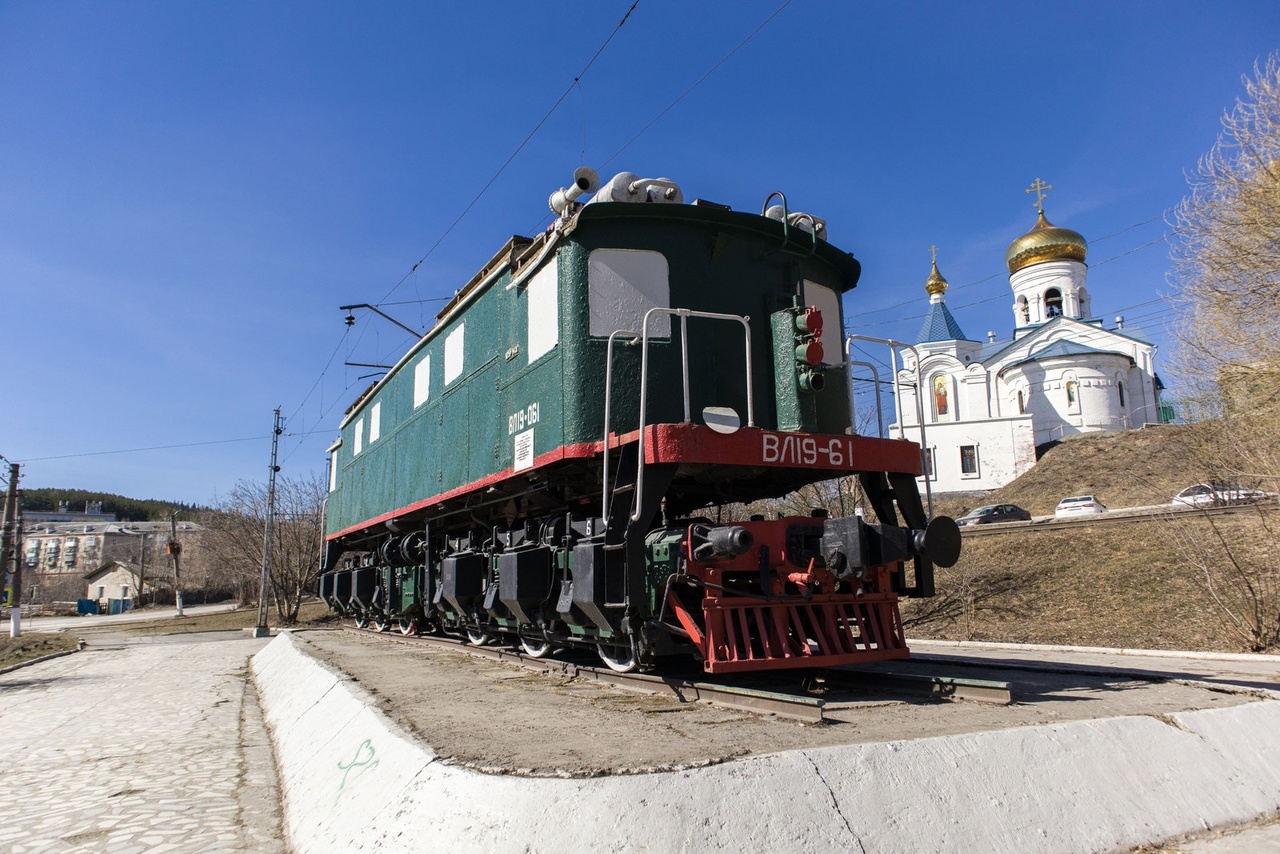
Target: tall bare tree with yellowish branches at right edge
<point>1227,273</point>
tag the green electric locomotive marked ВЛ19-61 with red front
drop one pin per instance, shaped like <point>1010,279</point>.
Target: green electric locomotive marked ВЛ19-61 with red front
<point>557,462</point>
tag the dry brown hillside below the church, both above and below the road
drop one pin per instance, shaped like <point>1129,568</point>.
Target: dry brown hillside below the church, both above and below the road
<point>1095,584</point>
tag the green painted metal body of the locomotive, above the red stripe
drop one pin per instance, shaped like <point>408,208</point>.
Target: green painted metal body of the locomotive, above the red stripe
<point>464,436</point>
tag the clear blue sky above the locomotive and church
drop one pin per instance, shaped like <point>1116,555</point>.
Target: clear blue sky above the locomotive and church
<point>189,191</point>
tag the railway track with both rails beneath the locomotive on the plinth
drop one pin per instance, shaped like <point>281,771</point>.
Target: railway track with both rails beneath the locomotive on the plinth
<point>793,700</point>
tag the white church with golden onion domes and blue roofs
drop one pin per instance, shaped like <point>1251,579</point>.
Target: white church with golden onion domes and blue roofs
<point>989,405</point>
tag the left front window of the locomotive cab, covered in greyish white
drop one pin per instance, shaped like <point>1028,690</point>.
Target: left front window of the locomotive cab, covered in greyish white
<point>624,285</point>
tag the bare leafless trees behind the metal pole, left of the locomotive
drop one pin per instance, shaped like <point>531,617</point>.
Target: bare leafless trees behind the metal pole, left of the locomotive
<point>235,541</point>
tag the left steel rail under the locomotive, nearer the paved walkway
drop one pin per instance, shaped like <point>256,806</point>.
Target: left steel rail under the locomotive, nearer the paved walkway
<point>798,709</point>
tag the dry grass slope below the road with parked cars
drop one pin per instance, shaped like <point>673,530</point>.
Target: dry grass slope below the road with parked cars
<point>1095,586</point>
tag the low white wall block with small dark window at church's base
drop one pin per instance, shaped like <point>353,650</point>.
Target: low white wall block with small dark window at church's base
<point>1002,450</point>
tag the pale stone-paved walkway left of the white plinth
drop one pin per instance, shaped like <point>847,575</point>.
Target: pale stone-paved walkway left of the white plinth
<point>139,745</point>
